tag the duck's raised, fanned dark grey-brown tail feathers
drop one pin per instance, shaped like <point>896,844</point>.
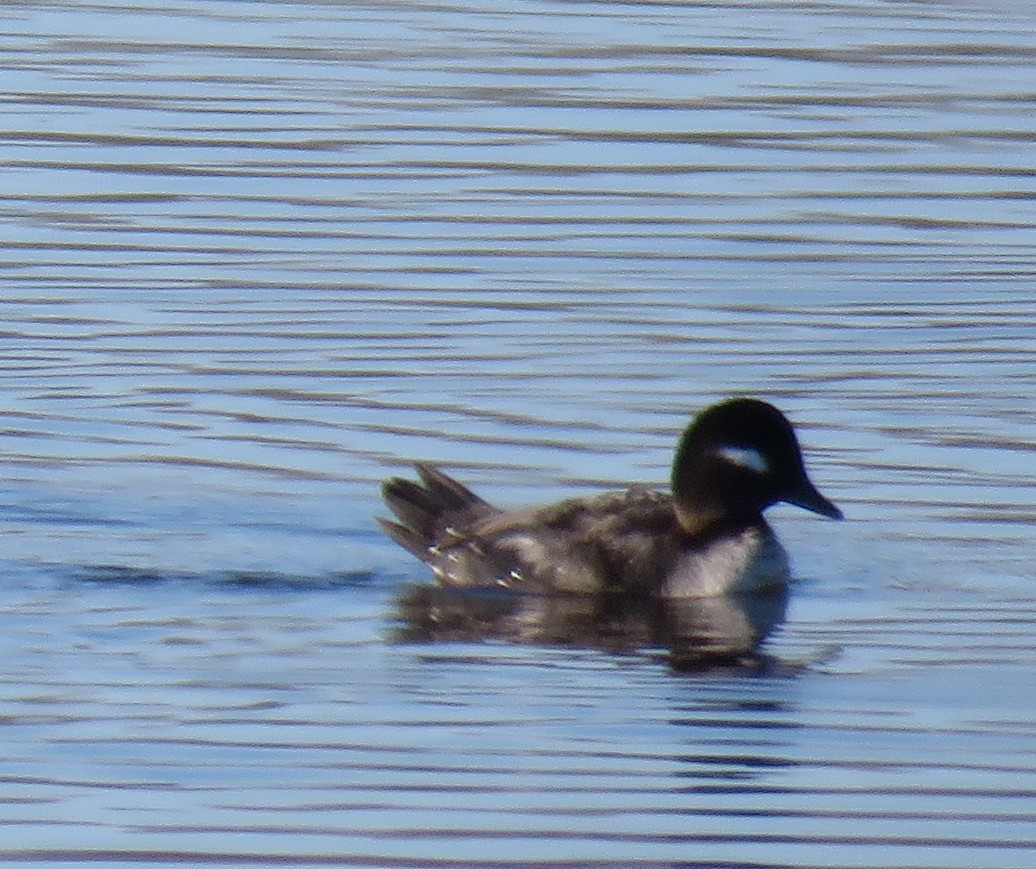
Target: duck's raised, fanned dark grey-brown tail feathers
<point>430,512</point>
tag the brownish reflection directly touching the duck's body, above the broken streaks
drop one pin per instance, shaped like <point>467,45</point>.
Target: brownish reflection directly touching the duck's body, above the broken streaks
<point>695,632</point>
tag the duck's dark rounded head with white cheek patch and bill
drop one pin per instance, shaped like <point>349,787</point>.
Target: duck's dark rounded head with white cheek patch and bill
<point>735,460</point>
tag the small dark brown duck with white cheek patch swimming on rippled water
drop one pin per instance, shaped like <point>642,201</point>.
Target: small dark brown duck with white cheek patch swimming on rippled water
<point>705,537</point>
